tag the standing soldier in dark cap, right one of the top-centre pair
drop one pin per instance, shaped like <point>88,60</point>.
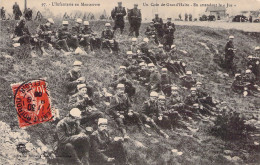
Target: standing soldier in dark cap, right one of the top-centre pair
<point>135,19</point>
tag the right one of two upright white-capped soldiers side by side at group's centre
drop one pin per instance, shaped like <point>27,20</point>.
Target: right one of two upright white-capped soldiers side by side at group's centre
<point>165,82</point>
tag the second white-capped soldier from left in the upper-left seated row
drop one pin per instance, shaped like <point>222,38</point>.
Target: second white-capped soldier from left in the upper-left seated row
<point>63,36</point>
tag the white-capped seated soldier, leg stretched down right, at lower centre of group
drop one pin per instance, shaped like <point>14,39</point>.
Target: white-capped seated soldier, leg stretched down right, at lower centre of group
<point>151,111</point>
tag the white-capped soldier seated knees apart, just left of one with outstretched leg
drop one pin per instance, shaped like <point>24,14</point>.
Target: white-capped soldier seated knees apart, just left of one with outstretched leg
<point>120,109</point>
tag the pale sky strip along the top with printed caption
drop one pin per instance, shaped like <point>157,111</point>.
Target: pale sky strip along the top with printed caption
<point>147,11</point>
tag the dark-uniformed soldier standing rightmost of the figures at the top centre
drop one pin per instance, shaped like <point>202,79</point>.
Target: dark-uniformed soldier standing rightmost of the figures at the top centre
<point>169,29</point>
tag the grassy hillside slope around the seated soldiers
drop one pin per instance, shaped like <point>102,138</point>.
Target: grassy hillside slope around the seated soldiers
<point>198,149</point>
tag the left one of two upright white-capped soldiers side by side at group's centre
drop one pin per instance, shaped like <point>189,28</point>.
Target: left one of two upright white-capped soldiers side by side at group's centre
<point>154,79</point>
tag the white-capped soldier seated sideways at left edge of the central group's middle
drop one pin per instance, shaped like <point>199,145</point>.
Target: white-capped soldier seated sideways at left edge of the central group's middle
<point>122,79</point>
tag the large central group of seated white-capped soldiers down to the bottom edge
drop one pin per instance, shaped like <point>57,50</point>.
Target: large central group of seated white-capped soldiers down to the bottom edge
<point>166,81</point>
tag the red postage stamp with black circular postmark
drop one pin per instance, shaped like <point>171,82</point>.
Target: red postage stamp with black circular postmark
<point>32,102</point>
